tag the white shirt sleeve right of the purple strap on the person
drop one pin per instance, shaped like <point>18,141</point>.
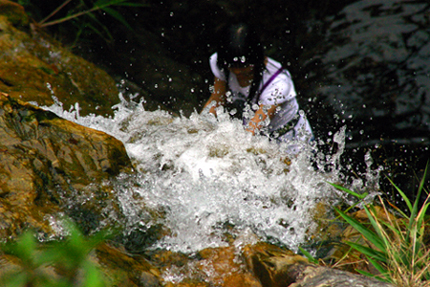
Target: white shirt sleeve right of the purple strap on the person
<point>279,91</point>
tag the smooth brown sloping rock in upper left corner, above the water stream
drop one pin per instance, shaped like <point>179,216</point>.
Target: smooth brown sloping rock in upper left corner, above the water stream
<point>36,68</point>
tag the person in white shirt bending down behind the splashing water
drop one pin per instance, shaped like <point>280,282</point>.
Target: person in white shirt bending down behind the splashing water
<point>255,88</point>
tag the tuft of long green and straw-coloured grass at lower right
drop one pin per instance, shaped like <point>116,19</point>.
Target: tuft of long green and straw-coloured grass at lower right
<point>395,245</point>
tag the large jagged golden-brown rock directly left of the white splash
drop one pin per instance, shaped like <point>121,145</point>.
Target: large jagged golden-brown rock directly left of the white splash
<point>49,165</point>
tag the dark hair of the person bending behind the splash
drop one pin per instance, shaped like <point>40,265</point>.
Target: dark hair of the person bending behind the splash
<point>239,45</point>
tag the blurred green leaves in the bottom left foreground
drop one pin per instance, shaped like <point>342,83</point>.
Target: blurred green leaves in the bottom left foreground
<point>69,258</point>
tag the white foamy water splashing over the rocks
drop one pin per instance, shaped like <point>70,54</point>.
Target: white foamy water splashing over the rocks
<point>208,176</point>
